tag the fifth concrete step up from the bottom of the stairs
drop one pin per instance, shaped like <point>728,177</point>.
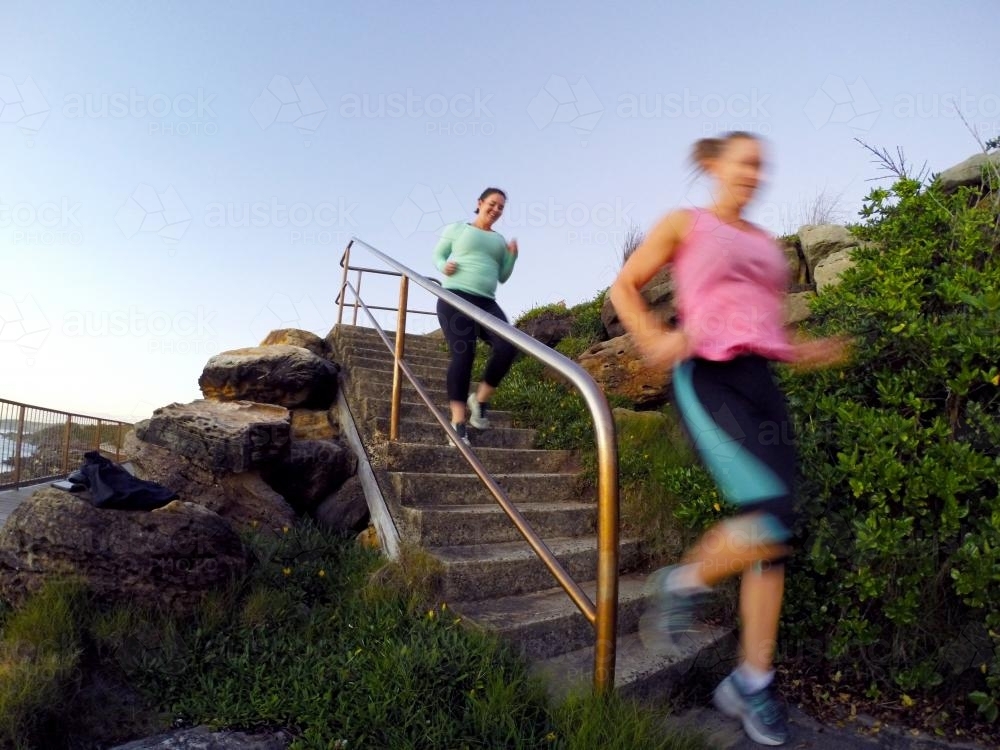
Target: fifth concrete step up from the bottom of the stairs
<point>420,489</point>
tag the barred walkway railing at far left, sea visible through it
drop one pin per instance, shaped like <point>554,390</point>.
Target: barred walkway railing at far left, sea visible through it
<point>37,444</point>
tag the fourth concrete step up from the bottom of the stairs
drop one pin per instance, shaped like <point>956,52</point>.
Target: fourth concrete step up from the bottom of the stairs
<point>449,525</point>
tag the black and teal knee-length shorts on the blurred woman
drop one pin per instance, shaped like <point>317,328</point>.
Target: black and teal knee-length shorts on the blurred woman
<point>738,420</point>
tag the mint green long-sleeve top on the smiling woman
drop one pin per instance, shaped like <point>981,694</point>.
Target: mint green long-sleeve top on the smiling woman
<point>482,257</point>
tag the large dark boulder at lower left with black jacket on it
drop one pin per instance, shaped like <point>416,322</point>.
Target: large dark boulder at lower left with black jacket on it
<point>169,557</point>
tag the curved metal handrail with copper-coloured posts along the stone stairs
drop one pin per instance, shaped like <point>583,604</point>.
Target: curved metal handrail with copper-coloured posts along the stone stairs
<point>603,615</point>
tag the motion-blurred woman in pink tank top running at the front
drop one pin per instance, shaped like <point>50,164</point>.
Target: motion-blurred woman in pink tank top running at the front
<point>730,279</point>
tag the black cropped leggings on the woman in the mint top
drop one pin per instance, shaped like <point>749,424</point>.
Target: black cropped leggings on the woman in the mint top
<point>461,332</point>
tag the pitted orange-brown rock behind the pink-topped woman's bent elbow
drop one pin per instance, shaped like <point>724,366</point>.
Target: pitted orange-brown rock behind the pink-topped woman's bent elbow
<point>619,369</point>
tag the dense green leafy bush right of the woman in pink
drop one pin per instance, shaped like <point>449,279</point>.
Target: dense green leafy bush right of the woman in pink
<point>901,492</point>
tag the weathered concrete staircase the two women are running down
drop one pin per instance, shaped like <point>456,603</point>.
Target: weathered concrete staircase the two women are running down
<point>490,574</point>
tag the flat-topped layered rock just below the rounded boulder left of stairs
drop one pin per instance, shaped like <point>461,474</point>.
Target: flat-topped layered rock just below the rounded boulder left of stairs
<point>221,436</point>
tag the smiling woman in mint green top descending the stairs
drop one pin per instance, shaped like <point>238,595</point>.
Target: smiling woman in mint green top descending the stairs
<point>474,259</point>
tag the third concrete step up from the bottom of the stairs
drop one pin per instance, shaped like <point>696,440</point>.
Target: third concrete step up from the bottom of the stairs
<point>482,571</point>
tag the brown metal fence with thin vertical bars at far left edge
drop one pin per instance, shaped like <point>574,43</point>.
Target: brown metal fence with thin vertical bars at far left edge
<point>53,418</point>
